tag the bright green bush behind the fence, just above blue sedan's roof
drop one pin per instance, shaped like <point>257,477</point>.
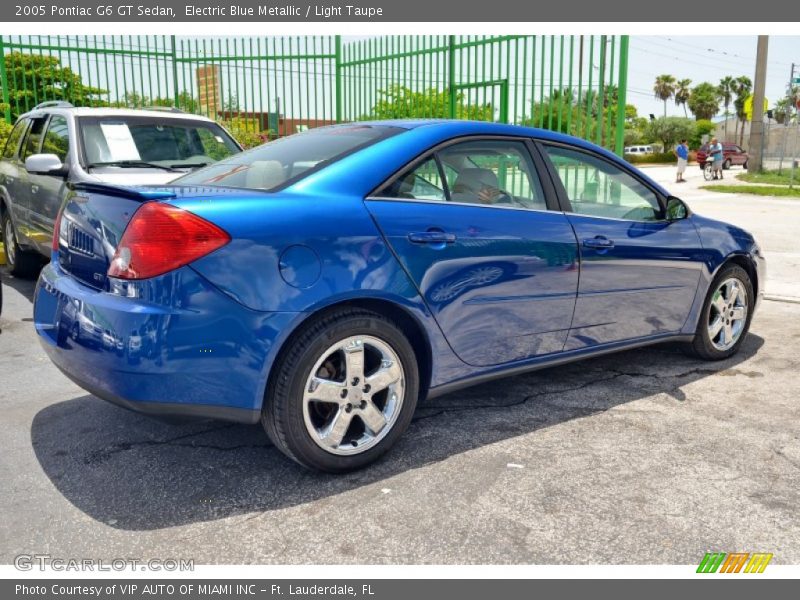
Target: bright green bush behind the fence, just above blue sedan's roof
<point>399,102</point>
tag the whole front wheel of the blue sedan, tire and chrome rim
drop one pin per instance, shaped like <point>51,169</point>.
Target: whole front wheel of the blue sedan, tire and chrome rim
<point>727,312</point>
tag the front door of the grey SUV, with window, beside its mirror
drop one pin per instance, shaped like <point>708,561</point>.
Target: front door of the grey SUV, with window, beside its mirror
<point>47,190</point>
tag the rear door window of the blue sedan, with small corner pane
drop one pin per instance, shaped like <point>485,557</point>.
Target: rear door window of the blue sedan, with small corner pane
<point>488,172</point>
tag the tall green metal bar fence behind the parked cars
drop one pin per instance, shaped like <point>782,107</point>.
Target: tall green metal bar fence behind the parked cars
<point>573,84</point>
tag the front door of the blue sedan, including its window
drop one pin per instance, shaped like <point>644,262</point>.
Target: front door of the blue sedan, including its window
<point>638,271</point>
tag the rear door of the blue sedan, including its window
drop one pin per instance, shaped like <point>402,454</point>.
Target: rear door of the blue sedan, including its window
<point>473,226</point>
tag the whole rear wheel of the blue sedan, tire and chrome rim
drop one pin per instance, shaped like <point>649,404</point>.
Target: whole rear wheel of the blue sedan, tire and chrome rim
<point>343,391</point>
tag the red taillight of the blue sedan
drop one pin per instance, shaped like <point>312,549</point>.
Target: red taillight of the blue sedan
<point>161,238</point>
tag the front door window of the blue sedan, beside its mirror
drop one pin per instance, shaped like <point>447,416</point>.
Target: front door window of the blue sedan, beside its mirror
<point>598,188</point>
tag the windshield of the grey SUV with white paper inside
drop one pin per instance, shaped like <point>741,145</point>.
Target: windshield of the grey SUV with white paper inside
<point>155,142</point>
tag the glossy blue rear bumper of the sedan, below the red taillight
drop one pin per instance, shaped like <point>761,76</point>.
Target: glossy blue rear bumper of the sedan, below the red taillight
<point>200,354</point>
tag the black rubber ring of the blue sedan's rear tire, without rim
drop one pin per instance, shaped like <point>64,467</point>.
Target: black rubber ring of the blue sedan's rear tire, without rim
<point>296,436</point>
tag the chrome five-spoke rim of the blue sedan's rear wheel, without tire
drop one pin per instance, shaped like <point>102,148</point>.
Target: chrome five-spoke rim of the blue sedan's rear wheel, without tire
<point>354,394</point>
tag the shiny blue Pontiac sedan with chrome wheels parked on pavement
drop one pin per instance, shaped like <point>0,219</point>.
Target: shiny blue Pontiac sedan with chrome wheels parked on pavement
<point>324,283</point>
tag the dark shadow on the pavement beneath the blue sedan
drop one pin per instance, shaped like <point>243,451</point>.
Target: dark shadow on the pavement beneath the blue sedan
<point>135,473</point>
